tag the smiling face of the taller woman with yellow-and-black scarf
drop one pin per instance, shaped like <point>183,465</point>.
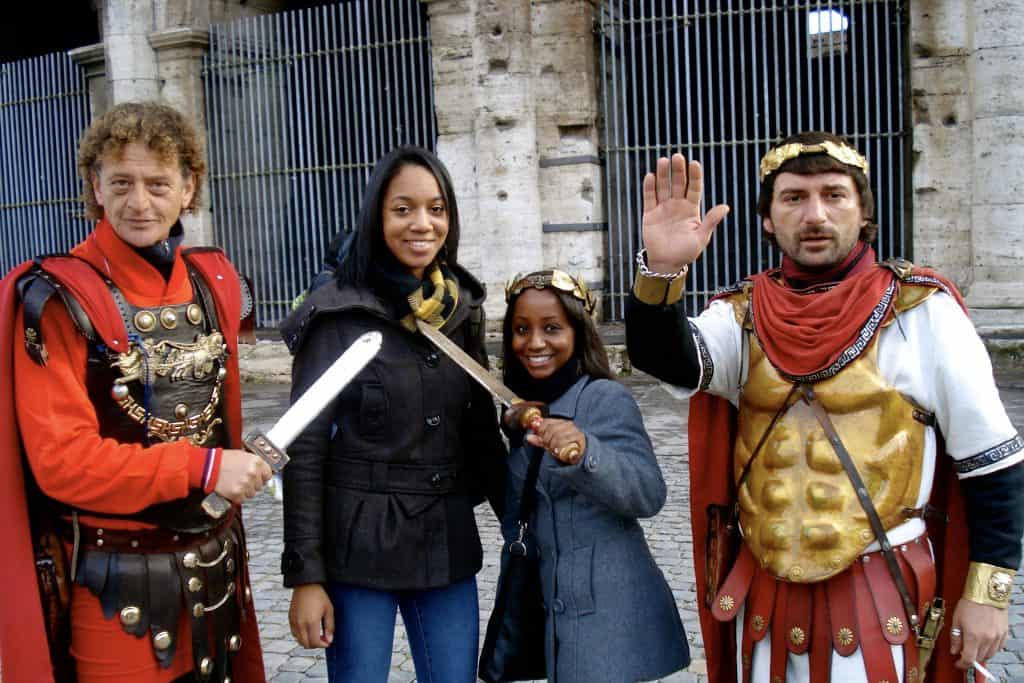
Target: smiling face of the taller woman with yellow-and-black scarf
<point>415,219</point>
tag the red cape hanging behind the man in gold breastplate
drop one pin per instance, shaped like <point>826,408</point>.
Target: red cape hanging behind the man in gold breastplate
<point>712,430</point>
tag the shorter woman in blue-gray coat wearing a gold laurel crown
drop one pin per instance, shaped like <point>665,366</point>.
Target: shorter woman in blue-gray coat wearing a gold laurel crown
<point>611,614</point>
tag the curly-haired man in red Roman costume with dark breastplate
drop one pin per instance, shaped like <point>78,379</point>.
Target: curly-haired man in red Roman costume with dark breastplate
<point>123,416</point>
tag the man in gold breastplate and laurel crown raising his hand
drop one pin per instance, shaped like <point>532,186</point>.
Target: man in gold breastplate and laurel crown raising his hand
<point>842,411</point>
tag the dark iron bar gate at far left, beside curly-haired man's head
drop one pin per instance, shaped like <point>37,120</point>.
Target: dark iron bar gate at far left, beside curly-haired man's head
<point>45,108</point>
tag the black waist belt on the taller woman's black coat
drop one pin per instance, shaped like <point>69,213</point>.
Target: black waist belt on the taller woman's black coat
<point>395,478</point>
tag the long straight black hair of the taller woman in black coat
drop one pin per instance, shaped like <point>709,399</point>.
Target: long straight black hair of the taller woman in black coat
<point>368,242</point>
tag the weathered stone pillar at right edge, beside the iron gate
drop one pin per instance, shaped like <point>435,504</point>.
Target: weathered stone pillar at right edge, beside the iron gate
<point>969,142</point>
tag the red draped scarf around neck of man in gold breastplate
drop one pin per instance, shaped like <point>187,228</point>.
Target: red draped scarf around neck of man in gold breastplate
<point>804,331</point>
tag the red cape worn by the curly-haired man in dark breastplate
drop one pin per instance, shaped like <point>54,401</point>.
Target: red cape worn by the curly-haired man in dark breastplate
<point>24,651</point>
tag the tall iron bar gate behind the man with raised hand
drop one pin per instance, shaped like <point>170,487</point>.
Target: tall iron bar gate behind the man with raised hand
<point>720,81</point>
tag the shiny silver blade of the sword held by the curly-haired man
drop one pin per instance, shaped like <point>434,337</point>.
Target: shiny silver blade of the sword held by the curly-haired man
<point>325,390</point>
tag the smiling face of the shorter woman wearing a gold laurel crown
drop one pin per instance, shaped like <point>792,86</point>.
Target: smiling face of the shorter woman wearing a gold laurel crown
<point>543,338</point>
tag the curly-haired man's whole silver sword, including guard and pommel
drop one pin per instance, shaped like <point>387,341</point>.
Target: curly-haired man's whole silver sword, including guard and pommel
<point>271,446</point>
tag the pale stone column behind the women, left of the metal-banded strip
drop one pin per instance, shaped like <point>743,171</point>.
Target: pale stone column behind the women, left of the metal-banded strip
<point>484,96</point>
